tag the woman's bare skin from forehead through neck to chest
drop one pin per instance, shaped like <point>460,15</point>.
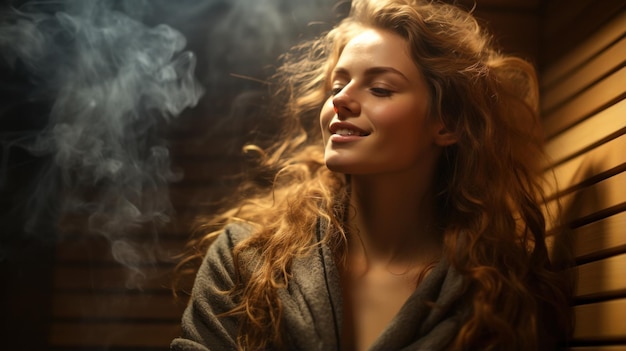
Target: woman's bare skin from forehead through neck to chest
<point>376,128</point>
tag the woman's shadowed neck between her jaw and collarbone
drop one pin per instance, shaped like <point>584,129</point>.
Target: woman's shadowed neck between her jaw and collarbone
<point>391,219</point>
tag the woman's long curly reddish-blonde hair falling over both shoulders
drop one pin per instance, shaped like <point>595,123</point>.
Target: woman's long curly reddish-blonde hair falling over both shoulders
<point>489,194</point>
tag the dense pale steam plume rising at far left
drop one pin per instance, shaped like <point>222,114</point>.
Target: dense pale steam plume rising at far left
<point>113,81</point>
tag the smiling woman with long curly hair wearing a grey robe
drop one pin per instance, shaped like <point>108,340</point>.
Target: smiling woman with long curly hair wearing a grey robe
<point>410,220</point>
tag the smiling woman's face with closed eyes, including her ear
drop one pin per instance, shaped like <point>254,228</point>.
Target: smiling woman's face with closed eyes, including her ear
<point>376,120</point>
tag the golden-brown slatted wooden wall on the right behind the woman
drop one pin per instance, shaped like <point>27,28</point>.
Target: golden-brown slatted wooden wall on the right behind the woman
<point>583,82</point>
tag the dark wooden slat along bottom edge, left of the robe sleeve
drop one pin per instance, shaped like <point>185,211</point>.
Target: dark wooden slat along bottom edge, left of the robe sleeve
<point>131,335</point>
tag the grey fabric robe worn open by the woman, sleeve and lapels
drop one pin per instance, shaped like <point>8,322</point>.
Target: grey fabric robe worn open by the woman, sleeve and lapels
<point>312,305</point>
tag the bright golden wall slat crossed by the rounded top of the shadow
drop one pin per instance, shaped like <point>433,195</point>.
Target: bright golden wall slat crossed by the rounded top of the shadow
<point>572,173</point>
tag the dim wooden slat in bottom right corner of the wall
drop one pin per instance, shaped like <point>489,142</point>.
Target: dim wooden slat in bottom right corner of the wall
<point>600,321</point>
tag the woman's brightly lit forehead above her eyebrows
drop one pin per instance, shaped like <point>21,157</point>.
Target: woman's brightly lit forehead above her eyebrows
<point>375,47</point>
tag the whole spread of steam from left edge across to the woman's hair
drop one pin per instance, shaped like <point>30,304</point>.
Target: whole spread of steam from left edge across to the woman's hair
<point>111,74</point>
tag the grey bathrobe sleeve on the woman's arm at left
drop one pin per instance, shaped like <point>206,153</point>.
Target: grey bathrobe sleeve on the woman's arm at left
<point>202,330</point>
